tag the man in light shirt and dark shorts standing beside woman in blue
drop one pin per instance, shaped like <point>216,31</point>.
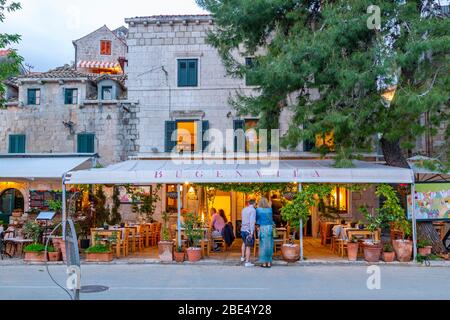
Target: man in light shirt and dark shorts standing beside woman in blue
<point>247,232</point>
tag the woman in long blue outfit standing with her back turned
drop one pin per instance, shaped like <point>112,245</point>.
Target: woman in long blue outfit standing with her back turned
<point>264,218</point>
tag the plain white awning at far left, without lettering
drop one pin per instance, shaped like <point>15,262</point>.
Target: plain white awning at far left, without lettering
<point>31,167</point>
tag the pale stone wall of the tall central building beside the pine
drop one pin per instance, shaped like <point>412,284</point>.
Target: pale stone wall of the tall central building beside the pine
<point>155,45</point>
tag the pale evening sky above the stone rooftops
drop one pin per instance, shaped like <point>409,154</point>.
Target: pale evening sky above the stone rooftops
<point>48,27</point>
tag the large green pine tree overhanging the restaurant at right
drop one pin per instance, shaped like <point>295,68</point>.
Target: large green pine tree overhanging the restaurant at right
<point>326,47</point>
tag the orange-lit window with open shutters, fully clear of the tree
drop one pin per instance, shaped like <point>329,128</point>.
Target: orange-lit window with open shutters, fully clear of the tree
<point>186,136</point>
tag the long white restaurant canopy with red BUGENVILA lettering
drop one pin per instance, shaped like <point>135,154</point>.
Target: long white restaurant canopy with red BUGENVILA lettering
<point>144,172</point>
